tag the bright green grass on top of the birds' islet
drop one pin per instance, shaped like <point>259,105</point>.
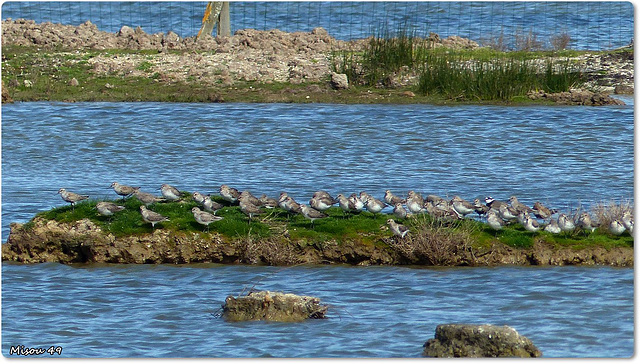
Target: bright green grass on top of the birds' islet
<point>364,227</point>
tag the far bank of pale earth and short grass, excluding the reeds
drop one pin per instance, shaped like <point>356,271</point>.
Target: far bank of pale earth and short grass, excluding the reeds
<point>54,62</point>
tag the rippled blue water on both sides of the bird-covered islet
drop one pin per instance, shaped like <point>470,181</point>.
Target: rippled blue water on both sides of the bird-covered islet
<point>559,155</point>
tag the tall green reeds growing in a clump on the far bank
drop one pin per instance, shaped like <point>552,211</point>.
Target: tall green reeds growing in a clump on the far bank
<point>481,74</point>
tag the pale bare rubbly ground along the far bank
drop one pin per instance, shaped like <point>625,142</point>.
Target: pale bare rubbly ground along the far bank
<point>262,57</point>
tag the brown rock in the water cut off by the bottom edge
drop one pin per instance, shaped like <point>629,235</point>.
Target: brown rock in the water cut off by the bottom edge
<point>477,341</point>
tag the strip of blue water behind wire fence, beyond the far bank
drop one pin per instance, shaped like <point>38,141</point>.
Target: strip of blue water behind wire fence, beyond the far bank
<point>585,25</point>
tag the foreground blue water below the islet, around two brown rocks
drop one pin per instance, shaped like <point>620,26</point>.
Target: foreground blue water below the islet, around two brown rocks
<point>169,311</point>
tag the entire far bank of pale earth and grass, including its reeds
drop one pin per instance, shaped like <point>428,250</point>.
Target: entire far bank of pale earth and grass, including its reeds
<point>55,62</point>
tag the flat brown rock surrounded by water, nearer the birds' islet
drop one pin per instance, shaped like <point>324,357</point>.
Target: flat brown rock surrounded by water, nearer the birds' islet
<point>272,306</point>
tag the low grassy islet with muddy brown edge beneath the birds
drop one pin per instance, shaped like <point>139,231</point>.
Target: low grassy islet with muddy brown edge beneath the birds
<point>276,237</point>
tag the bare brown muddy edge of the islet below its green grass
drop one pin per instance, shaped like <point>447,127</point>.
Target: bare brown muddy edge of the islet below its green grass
<point>83,242</point>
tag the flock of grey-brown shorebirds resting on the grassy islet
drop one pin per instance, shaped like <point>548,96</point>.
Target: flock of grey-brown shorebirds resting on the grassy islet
<point>497,213</point>
